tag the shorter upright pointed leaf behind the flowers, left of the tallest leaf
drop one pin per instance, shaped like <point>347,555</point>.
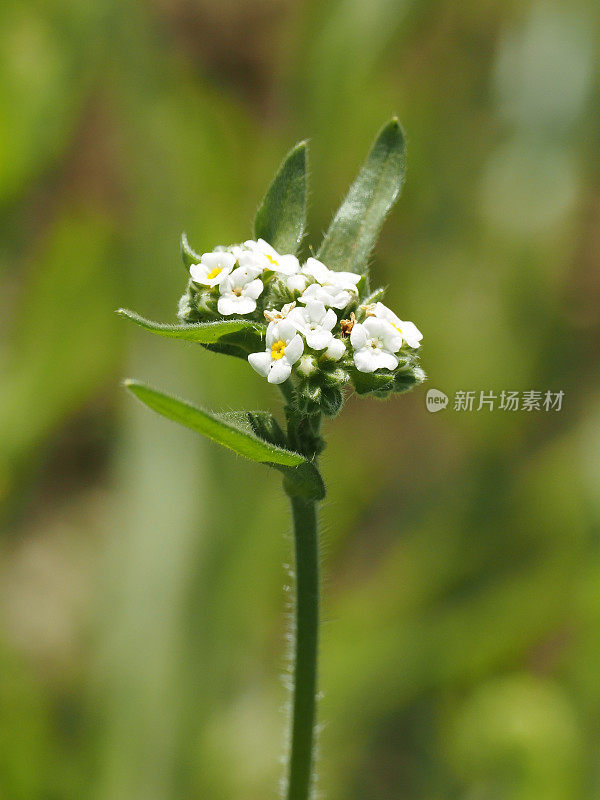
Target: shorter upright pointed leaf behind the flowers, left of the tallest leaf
<point>281,218</point>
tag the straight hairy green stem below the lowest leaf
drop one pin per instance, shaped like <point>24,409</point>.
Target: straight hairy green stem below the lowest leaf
<point>305,666</point>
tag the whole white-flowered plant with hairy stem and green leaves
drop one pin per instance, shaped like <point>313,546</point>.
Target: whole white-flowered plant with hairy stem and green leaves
<point>313,329</point>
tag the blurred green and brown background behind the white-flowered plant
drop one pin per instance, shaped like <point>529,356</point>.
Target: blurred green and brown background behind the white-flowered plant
<point>142,592</point>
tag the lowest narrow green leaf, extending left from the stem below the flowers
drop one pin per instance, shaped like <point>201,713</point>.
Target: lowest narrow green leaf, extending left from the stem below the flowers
<point>227,430</point>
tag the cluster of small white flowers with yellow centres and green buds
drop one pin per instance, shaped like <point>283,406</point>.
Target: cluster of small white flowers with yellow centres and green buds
<point>323,325</point>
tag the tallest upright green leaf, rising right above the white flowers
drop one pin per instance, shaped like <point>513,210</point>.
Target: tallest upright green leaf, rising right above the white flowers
<point>354,229</point>
